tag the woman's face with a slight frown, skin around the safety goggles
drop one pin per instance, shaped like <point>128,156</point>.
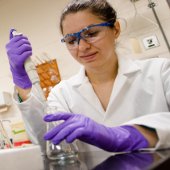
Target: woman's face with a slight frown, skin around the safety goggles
<point>91,54</point>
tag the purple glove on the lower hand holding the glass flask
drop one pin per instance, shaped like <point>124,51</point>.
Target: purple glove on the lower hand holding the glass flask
<point>76,126</point>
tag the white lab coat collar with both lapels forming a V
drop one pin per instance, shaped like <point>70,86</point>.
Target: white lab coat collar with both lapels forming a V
<point>127,68</point>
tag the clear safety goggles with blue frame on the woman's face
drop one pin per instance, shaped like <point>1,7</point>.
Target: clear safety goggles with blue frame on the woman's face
<point>90,34</point>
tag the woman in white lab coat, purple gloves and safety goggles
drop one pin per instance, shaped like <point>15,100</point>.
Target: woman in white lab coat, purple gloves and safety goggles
<point>113,103</point>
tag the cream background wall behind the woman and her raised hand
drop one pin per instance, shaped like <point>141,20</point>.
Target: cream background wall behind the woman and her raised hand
<point>39,19</point>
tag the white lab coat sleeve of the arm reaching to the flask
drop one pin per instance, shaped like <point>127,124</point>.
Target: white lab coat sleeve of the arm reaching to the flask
<point>159,121</point>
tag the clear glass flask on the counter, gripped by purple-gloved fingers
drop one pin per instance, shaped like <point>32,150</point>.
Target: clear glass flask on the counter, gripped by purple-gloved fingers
<point>64,152</point>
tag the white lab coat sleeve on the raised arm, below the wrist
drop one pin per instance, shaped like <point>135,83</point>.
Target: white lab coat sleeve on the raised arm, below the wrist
<point>32,112</point>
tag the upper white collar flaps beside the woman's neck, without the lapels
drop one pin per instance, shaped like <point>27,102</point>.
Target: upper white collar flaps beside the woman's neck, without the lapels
<point>127,66</point>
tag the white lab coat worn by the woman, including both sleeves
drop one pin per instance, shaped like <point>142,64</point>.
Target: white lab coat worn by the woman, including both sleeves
<point>140,95</point>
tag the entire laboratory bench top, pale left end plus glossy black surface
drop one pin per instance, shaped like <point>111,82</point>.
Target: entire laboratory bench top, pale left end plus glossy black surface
<point>30,158</point>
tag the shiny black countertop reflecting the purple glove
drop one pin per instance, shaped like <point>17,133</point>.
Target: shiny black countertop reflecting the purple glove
<point>101,160</point>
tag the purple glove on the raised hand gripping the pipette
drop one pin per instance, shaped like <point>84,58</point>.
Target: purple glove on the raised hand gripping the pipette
<point>18,50</point>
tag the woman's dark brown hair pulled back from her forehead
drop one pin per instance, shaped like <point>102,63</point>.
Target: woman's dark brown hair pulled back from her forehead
<point>100,8</point>
